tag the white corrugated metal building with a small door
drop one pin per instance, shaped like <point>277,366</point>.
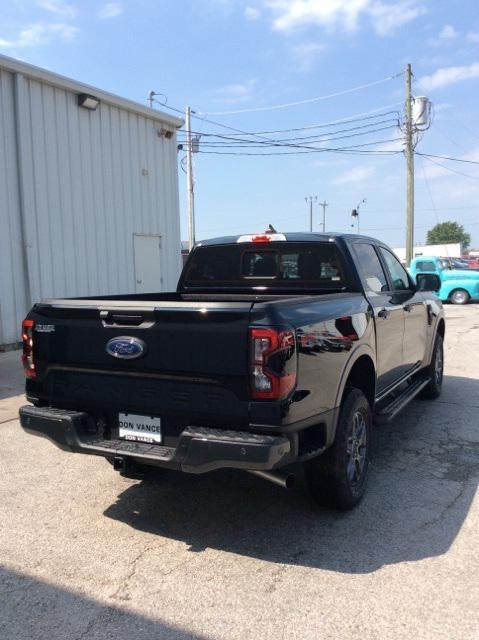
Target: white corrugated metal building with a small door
<point>88,198</point>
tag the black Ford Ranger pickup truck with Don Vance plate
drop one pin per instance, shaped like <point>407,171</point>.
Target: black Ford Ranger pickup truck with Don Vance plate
<point>276,349</point>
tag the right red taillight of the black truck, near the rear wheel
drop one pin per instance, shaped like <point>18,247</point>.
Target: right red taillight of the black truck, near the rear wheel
<point>272,363</point>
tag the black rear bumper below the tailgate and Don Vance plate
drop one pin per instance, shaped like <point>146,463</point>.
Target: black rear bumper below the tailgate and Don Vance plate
<point>199,449</point>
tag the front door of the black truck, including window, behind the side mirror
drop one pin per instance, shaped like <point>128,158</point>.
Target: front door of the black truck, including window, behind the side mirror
<point>415,310</point>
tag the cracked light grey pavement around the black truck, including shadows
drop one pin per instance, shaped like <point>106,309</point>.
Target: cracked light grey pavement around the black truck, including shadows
<point>85,553</point>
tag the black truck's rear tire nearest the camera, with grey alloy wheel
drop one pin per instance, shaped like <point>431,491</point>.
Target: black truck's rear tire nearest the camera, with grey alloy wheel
<point>338,478</point>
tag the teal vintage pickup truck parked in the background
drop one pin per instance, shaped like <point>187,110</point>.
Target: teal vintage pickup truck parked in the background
<point>458,286</point>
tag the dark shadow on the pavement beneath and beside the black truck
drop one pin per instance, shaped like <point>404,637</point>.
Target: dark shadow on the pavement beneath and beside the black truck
<point>423,480</point>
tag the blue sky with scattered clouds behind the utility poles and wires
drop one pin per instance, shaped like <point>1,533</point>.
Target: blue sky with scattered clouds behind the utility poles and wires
<point>230,55</point>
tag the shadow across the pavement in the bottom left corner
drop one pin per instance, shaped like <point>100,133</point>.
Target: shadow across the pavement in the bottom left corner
<point>33,609</point>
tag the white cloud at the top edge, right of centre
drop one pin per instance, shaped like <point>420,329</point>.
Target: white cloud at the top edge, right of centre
<point>343,14</point>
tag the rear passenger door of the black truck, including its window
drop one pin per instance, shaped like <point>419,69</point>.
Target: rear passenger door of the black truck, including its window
<point>388,315</point>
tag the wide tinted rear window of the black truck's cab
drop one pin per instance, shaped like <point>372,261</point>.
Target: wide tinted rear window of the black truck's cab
<point>313,264</point>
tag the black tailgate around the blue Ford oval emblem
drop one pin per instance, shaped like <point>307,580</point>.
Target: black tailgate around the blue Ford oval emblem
<point>194,365</point>
